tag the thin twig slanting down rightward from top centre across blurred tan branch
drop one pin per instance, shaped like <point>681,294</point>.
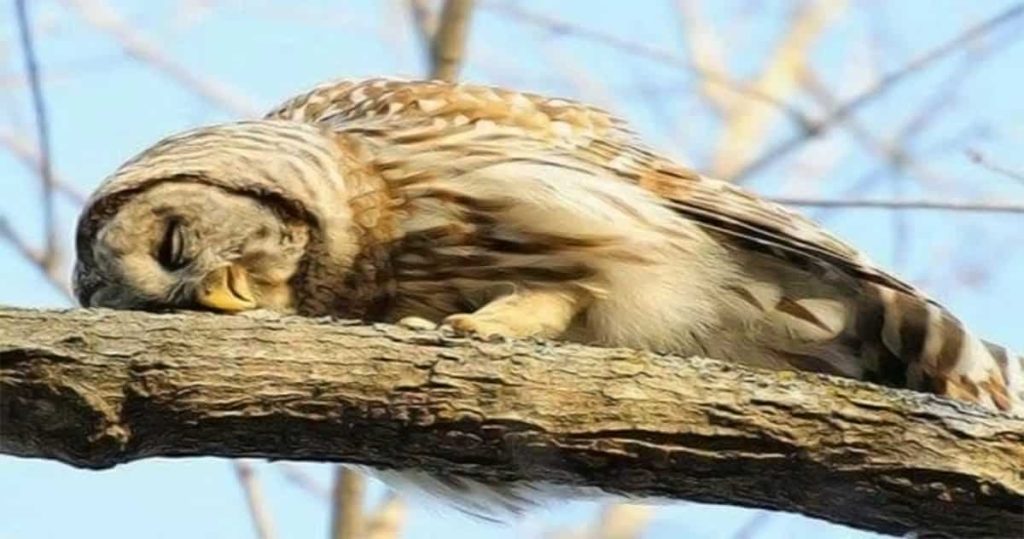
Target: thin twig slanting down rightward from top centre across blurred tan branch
<point>561,27</point>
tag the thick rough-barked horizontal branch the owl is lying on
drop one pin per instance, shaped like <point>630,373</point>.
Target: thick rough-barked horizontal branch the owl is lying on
<point>95,389</point>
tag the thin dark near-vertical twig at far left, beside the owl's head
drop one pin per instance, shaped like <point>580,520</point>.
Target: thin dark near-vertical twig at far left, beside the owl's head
<point>51,253</point>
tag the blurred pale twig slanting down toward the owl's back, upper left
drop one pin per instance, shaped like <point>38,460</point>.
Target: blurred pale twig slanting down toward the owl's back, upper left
<point>142,48</point>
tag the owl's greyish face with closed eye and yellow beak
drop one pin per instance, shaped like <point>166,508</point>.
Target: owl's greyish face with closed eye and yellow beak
<point>190,245</point>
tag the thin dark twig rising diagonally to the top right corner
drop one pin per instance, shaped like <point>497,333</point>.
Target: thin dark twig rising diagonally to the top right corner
<point>878,90</point>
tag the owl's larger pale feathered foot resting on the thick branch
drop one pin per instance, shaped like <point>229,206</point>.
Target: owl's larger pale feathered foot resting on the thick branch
<point>529,314</point>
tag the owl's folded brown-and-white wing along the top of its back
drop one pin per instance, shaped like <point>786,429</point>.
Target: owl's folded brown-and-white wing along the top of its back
<point>589,134</point>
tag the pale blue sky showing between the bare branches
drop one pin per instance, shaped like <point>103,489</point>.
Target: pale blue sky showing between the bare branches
<point>105,107</point>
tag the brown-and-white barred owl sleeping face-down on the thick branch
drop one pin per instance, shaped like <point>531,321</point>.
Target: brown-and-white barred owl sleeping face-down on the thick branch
<point>497,213</point>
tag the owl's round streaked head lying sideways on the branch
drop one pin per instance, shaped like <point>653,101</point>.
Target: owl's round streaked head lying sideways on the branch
<point>223,218</point>
